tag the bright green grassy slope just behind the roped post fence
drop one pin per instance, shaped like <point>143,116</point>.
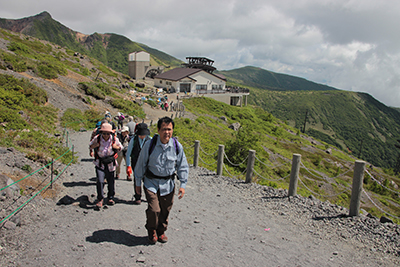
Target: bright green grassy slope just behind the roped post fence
<point>274,143</point>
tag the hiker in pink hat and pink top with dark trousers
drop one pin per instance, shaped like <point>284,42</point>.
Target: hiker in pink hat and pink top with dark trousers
<point>105,146</point>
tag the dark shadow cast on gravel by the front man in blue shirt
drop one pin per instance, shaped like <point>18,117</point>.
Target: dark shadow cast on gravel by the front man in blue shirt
<point>118,237</point>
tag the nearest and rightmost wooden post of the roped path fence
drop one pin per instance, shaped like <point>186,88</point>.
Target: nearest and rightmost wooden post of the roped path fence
<point>356,188</point>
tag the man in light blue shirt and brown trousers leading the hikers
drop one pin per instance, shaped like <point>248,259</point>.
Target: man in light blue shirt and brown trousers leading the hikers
<point>160,161</point>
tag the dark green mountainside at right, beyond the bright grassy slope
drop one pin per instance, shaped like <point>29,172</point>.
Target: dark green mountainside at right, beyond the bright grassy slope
<point>349,120</point>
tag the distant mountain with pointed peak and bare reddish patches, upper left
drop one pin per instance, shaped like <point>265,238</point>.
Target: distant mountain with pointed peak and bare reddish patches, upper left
<point>111,49</point>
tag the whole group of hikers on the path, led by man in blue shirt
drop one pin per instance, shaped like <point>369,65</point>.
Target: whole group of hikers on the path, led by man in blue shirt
<point>154,162</point>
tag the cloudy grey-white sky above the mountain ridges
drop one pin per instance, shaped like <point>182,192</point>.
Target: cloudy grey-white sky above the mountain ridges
<point>348,44</point>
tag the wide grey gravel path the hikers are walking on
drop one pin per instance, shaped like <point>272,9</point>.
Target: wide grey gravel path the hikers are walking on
<point>219,222</point>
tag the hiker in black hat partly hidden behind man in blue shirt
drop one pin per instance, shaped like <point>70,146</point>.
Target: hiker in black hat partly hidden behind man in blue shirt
<point>134,148</point>
